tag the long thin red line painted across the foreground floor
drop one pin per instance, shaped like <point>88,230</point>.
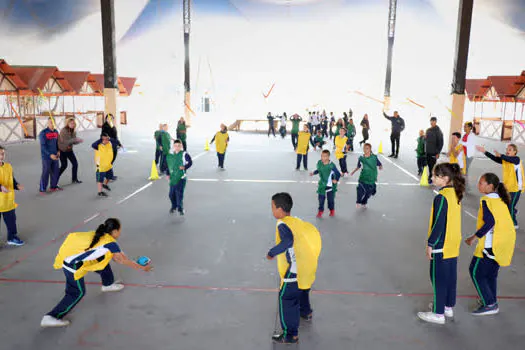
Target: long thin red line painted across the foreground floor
<point>260,290</point>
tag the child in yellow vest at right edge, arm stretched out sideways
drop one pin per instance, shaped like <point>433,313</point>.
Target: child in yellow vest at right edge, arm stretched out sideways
<point>513,176</point>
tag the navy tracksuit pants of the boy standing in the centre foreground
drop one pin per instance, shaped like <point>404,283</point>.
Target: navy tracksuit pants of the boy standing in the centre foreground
<point>293,303</point>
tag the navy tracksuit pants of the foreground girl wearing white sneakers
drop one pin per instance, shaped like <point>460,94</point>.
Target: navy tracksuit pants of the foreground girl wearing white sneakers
<point>444,276</point>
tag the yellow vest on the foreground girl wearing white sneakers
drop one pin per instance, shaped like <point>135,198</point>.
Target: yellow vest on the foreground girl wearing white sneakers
<point>453,229</point>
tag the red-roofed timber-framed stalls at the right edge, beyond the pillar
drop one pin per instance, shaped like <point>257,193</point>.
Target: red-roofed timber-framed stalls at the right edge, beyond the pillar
<point>497,105</point>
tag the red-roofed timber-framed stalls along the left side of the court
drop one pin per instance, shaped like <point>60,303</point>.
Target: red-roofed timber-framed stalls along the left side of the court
<point>29,94</point>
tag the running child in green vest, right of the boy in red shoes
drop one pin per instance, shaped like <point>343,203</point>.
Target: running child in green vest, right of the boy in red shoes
<point>366,186</point>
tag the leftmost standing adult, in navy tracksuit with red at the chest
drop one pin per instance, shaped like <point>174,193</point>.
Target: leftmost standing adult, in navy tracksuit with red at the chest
<point>50,153</point>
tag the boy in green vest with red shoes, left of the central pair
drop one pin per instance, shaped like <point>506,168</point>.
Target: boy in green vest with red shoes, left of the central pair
<point>327,187</point>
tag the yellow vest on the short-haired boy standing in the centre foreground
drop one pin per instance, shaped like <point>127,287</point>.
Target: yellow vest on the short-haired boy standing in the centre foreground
<point>307,247</point>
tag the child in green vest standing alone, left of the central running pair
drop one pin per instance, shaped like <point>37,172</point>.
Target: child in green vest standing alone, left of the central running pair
<point>178,163</point>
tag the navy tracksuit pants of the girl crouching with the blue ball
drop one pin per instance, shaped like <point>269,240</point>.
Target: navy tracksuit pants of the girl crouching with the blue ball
<point>75,291</point>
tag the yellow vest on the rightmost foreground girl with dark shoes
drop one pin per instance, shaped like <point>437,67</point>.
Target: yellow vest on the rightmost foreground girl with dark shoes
<point>504,235</point>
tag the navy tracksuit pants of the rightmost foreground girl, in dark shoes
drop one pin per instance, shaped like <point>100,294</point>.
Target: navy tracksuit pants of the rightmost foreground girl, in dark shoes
<point>484,274</point>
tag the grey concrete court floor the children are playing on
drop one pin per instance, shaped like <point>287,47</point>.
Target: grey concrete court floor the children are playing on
<point>212,287</point>
